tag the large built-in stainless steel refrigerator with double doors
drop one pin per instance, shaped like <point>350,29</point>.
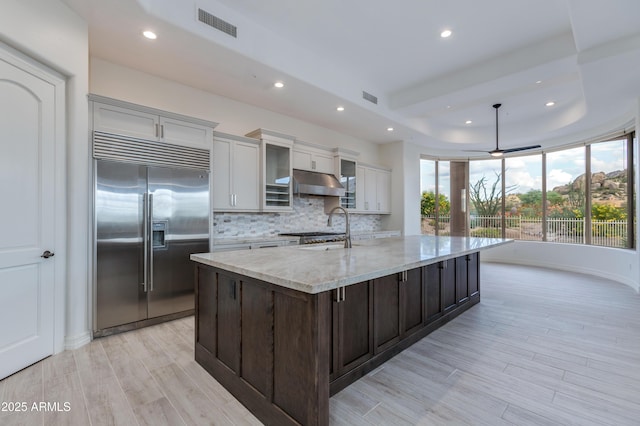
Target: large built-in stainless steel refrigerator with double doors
<point>148,220</point>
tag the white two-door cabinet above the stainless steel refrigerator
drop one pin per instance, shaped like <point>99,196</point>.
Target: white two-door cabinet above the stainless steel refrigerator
<point>123,118</point>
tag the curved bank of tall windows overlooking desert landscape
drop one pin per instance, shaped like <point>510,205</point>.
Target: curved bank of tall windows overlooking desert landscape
<point>578,195</point>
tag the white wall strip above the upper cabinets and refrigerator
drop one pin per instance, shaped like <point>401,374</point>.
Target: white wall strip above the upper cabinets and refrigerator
<point>115,81</point>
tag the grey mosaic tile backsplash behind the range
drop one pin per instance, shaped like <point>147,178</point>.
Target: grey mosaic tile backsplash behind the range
<point>308,215</point>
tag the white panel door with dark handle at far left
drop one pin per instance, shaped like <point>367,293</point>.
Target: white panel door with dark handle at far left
<point>27,217</point>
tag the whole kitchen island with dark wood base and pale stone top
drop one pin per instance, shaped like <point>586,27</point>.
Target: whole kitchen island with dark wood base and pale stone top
<point>285,328</point>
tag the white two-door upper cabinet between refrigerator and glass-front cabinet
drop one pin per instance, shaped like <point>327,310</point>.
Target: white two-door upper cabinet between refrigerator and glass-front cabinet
<point>236,173</point>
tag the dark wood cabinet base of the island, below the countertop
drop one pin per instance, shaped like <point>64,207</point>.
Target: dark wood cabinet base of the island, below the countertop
<point>283,352</point>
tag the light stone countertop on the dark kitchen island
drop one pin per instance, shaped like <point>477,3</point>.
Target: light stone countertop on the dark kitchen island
<point>313,268</point>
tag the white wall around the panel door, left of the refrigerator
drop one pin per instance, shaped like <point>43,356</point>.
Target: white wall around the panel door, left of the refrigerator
<point>49,32</point>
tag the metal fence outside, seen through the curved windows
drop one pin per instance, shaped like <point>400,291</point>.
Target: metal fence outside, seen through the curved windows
<point>560,230</point>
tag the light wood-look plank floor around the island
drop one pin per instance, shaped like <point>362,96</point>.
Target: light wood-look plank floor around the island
<point>542,348</point>
